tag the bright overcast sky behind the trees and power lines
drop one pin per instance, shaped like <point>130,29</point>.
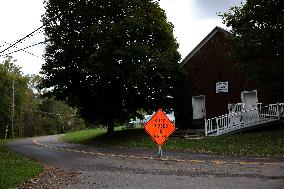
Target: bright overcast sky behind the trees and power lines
<point>192,19</point>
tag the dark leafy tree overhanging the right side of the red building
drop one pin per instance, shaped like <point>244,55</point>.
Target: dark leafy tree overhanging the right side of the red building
<point>258,41</point>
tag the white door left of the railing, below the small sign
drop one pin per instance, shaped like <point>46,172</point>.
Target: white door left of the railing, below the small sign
<point>198,107</point>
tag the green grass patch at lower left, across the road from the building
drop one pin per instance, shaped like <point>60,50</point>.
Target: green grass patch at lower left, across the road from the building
<point>14,169</point>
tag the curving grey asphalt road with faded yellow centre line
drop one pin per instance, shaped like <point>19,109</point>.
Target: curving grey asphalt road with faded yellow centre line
<point>140,168</point>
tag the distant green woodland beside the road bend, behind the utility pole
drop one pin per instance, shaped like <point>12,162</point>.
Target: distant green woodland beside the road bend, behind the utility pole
<point>34,115</point>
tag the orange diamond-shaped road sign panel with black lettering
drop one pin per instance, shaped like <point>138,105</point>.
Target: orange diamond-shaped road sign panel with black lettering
<point>159,127</point>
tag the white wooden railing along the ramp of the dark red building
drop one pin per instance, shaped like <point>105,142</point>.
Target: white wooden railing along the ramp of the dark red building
<point>238,120</point>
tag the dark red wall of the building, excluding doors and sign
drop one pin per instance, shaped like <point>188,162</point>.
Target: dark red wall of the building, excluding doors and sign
<point>203,70</point>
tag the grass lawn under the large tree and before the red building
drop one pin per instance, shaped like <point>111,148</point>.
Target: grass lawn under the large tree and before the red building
<point>264,143</point>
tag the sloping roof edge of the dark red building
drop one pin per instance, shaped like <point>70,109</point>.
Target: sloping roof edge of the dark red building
<point>202,43</point>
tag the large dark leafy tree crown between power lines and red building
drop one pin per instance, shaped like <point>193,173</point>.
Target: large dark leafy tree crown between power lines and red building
<point>110,57</point>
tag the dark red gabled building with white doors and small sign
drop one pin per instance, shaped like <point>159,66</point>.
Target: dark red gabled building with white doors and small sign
<point>211,82</point>
